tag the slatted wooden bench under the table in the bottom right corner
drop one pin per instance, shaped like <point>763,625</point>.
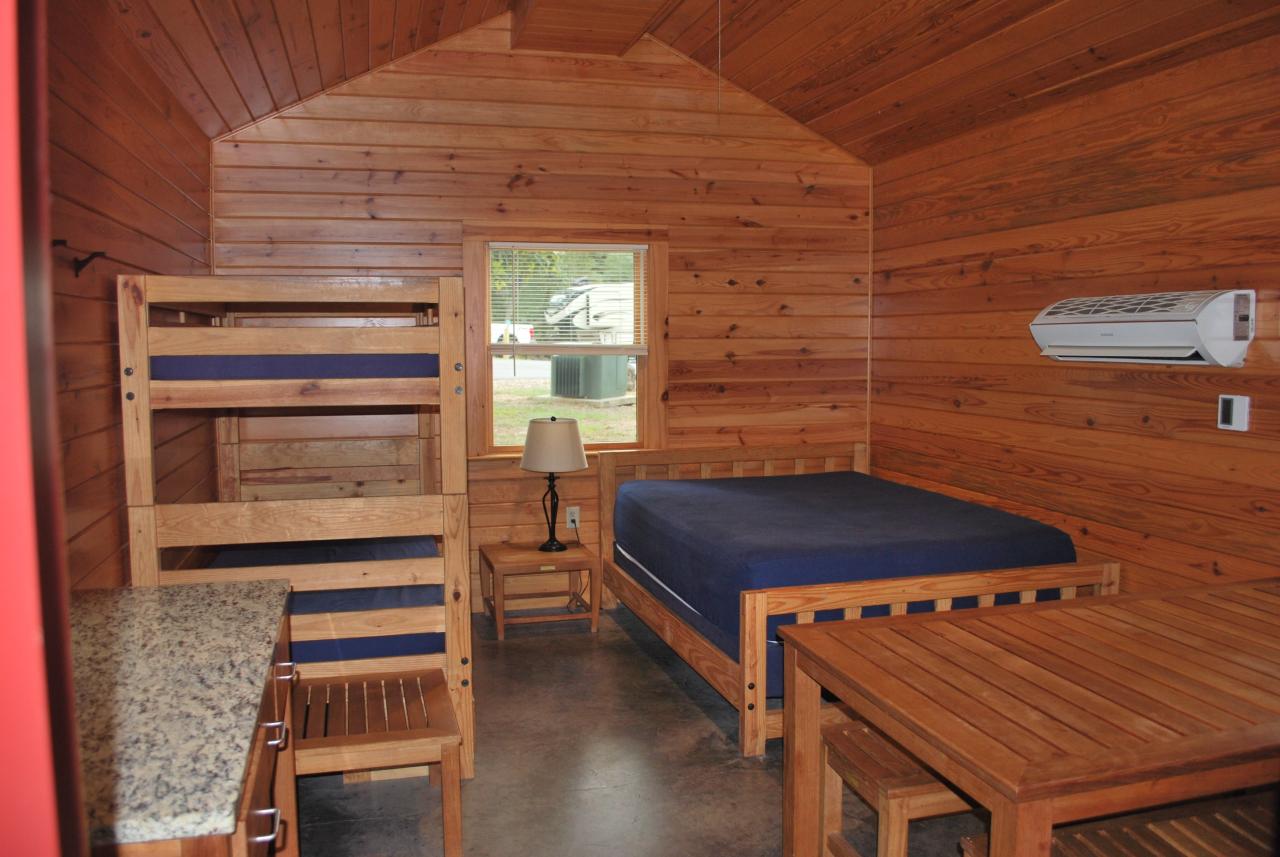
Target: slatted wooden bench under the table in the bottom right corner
<point>1241,827</point>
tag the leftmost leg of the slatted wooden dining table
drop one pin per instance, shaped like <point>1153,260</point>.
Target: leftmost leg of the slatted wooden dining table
<point>802,755</point>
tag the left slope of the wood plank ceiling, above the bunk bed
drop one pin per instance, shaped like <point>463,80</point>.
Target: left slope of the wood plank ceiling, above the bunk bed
<point>232,62</point>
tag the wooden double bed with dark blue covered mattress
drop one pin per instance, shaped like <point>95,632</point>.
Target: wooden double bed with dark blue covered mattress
<point>715,549</point>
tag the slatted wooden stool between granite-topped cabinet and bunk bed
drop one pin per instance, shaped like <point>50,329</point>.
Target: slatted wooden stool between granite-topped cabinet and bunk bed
<point>387,721</point>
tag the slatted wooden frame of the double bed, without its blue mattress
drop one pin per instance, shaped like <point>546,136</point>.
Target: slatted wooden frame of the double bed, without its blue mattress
<point>743,681</point>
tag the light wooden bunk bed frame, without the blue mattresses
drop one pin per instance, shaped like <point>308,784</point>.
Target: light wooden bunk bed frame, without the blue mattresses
<point>441,439</point>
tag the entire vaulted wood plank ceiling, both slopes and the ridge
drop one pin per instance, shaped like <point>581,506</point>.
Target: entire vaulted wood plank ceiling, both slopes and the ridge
<point>879,77</point>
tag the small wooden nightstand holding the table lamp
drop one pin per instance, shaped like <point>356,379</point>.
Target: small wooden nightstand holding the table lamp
<point>499,562</point>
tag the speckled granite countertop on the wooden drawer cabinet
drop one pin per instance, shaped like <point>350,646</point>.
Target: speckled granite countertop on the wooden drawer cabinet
<point>168,688</point>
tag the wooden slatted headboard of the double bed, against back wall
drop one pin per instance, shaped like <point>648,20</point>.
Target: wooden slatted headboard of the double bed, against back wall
<point>624,466</point>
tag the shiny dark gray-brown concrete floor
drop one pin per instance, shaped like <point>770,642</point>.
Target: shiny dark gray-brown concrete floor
<point>589,746</point>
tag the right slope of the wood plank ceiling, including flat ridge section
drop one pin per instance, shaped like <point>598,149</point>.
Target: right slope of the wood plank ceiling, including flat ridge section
<point>888,79</point>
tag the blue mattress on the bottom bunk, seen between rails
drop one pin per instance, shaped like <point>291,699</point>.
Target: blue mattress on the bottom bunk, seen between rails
<point>304,553</point>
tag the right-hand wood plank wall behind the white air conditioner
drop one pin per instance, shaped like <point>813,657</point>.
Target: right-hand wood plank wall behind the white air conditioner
<point>1171,182</point>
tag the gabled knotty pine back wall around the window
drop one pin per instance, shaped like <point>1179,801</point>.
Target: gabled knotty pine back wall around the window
<point>769,224</point>
